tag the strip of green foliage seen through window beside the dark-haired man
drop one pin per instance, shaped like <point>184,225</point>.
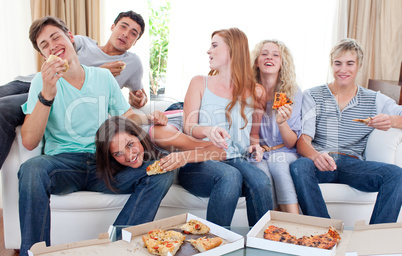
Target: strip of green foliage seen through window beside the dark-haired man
<point>159,40</point>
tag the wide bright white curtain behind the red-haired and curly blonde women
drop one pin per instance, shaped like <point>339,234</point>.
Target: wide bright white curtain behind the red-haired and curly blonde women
<point>309,28</point>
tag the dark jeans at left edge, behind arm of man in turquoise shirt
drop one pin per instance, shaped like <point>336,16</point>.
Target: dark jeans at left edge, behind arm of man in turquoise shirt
<point>12,96</point>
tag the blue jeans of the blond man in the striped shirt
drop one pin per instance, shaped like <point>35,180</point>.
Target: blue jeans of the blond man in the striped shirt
<point>367,176</point>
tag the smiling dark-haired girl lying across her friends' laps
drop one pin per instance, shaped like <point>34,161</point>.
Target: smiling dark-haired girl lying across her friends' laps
<point>121,143</point>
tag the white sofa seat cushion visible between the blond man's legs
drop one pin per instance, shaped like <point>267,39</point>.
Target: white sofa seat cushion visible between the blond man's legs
<point>341,193</point>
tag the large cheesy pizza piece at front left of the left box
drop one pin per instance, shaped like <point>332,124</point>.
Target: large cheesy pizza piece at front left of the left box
<point>161,242</point>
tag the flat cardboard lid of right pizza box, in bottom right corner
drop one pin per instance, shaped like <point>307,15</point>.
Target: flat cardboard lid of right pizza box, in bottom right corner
<point>377,239</point>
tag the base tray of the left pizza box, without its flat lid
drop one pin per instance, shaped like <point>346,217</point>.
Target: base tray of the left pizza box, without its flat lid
<point>232,241</point>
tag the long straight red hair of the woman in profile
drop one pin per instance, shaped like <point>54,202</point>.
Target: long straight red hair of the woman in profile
<point>240,69</point>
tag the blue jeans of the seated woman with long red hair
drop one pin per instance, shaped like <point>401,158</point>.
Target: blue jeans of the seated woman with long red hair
<point>224,182</point>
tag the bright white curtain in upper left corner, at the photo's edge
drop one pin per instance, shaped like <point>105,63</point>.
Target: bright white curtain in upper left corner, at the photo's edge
<point>16,51</point>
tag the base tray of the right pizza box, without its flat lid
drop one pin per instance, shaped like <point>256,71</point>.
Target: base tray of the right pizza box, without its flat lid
<point>297,225</point>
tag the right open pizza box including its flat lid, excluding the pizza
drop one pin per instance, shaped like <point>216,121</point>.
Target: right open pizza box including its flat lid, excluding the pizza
<point>380,239</point>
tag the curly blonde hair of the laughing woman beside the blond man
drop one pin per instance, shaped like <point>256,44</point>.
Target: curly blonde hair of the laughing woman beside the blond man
<point>287,75</point>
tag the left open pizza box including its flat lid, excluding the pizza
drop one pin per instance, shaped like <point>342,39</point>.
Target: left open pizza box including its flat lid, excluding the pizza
<point>131,243</point>
